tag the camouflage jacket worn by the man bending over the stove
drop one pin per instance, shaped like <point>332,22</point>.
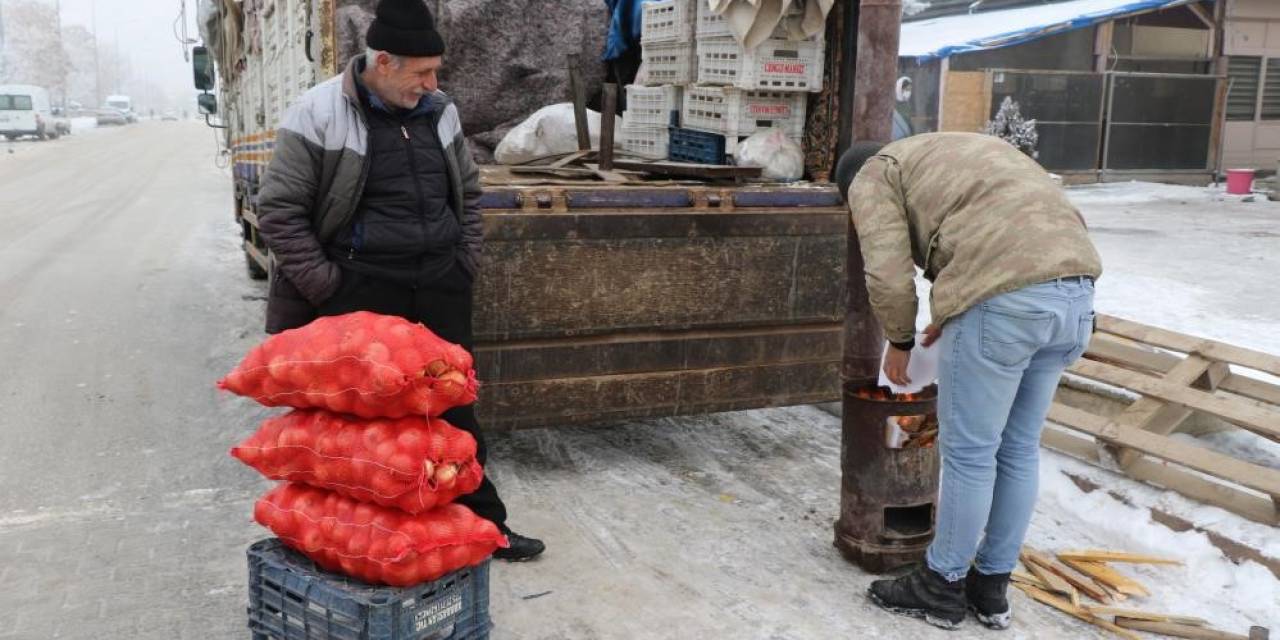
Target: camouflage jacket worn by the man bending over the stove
<point>976,214</point>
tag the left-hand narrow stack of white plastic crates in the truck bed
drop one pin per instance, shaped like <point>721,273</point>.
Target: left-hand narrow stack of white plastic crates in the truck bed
<point>670,62</point>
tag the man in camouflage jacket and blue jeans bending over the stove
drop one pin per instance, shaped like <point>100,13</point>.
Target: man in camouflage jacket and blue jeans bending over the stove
<point>1013,273</point>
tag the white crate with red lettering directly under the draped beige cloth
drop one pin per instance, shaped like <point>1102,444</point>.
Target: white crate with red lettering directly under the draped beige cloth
<point>775,66</point>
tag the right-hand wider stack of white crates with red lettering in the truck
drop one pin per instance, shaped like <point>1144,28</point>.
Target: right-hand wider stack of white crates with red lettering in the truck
<point>740,92</point>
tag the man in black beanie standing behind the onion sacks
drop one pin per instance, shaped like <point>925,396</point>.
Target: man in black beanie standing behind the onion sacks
<point>372,204</point>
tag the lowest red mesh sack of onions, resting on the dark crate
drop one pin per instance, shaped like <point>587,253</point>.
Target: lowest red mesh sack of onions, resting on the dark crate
<point>377,545</point>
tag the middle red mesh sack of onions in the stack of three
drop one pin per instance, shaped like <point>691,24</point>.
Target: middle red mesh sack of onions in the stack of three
<point>414,464</point>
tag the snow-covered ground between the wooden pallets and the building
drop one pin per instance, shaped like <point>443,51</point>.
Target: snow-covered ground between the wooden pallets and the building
<point>1188,259</point>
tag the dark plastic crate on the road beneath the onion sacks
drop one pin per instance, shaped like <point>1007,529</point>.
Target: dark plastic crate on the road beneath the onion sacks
<point>294,600</point>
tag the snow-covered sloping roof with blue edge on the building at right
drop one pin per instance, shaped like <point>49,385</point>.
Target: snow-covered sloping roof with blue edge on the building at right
<point>943,38</point>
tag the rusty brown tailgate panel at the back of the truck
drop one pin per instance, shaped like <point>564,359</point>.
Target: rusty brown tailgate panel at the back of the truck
<point>602,316</point>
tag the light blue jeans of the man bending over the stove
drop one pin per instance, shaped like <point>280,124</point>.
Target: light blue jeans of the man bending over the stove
<point>1000,365</point>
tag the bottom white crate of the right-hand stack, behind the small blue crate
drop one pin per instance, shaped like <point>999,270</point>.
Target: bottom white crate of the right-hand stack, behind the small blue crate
<point>735,113</point>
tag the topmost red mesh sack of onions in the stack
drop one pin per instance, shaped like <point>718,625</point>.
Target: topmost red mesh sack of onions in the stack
<point>364,364</point>
